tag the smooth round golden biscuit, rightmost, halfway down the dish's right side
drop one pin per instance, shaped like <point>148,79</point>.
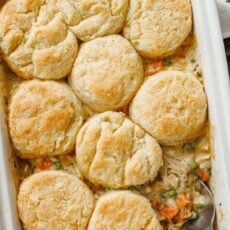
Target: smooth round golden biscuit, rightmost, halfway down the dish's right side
<point>171,106</point>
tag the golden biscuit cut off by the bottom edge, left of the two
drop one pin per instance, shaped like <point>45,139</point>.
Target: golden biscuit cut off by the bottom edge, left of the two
<point>54,200</point>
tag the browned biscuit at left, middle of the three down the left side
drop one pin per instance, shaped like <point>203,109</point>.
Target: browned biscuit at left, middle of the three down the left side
<point>44,119</point>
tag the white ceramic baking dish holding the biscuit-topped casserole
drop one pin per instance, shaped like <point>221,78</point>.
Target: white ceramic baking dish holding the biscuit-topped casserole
<point>208,32</point>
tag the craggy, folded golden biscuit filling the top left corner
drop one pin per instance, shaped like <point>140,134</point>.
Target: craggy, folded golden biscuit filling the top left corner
<point>36,40</point>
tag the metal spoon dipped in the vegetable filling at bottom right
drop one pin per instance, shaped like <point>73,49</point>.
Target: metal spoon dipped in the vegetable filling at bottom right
<point>206,216</point>
